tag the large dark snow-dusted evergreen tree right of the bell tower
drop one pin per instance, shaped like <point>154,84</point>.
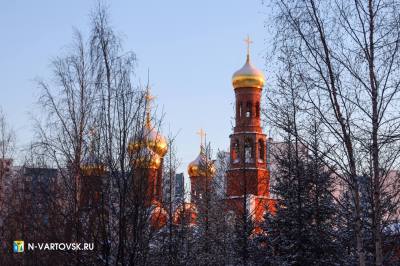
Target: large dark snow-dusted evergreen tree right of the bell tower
<point>302,231</point>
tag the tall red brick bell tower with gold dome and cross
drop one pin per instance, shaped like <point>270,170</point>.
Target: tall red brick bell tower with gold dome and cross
<point>248,176</point>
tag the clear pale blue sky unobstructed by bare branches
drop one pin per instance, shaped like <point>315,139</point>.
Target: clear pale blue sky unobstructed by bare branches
<point>192,49</point>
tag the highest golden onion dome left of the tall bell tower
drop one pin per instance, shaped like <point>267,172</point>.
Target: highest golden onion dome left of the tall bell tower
<point>152,139</point>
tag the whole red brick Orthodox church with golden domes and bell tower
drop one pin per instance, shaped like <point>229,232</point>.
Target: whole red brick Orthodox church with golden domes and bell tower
<point>246,180</point>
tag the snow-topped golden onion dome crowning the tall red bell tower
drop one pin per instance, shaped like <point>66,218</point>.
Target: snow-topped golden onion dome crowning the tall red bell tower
<point>248,77</point>
